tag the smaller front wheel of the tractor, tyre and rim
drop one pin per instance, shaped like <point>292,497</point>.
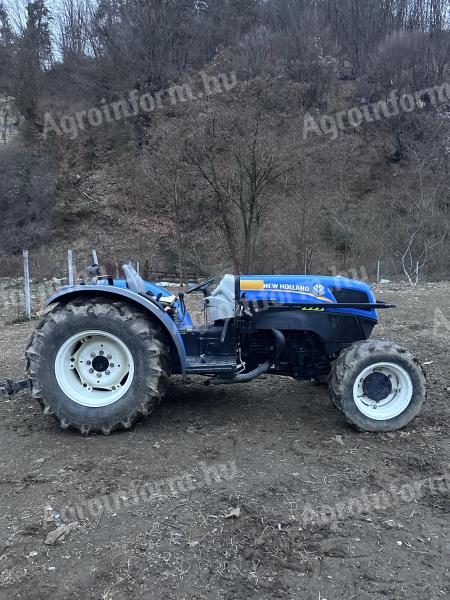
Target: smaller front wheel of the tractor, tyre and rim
<point>378,385</point>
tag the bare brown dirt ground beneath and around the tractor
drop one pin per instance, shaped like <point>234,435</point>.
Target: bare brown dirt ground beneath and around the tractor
<point>290,451</point>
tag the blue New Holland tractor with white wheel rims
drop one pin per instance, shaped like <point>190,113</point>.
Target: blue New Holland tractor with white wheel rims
<point>102,355</point>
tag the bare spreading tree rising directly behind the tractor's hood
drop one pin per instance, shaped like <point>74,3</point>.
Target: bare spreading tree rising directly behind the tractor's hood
<point>239,166</point>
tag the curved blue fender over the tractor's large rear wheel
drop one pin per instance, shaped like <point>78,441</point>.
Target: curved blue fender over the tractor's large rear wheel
<point>178,350</point>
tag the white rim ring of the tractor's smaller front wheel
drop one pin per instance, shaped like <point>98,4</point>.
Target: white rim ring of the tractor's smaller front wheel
<point>394,403</point>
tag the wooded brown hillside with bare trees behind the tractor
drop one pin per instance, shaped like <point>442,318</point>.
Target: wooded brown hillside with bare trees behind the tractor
<point>171,184</point>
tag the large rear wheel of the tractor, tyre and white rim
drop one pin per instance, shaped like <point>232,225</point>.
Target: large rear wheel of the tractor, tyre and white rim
<point>98,364</point>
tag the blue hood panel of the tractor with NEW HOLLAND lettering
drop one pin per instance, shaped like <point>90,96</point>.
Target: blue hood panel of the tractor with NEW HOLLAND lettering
<point>309,289</point>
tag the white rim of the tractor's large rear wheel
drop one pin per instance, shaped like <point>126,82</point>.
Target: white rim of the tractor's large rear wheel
<point>94,368</point>
